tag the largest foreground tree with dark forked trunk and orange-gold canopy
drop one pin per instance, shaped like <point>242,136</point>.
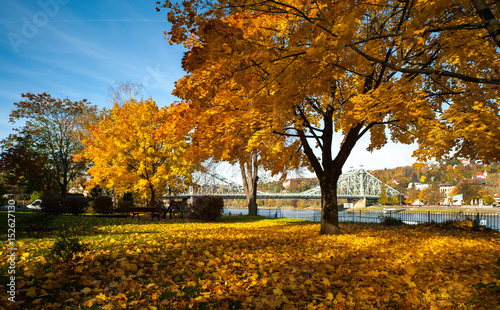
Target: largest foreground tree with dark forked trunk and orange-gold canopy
<point>315,68</point>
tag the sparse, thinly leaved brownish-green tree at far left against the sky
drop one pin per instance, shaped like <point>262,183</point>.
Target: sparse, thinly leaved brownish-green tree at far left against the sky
<point>53,128</point>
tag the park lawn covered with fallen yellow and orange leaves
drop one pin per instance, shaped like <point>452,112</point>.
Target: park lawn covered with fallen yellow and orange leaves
<point>262,264</point>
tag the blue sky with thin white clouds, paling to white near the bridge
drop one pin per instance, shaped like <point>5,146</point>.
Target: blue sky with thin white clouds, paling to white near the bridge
<point>77,49</point>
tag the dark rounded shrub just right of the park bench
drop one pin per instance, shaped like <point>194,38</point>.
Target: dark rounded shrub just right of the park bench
<point>206,208</point>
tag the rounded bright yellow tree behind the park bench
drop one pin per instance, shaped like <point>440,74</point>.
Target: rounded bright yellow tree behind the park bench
<point>138,149</point>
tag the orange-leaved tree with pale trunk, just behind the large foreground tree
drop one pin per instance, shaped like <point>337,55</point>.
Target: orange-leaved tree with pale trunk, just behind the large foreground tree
<point>230,129</point>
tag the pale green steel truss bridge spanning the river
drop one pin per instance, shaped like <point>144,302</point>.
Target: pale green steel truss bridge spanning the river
<point>354,184</point>
